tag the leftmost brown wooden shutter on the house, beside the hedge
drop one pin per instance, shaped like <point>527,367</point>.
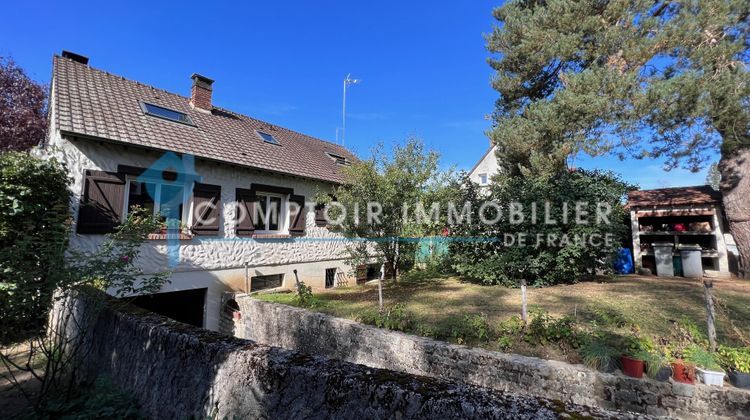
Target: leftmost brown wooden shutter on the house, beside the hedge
<point>102,202</point>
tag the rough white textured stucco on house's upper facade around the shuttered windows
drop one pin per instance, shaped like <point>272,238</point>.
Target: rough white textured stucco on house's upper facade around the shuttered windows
<point>225,251</point>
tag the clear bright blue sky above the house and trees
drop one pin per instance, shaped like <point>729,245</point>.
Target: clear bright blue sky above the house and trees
<point>422,65</point>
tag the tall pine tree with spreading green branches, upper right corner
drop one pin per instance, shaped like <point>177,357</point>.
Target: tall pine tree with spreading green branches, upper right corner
<point>631,77</point>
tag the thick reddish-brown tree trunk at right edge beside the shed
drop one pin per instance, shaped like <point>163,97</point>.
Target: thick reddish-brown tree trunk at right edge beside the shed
<point>735,188</point>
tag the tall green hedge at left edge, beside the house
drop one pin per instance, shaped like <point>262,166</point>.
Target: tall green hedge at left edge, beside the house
<point>34,227</point>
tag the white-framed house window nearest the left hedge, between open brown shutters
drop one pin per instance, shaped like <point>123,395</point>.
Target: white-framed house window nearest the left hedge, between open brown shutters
<point>163,199</point>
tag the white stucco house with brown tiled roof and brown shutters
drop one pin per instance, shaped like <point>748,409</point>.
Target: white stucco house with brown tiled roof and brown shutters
<point>242,189</point>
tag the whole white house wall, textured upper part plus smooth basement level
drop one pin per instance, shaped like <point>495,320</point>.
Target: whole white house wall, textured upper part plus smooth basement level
<point>218,262</point>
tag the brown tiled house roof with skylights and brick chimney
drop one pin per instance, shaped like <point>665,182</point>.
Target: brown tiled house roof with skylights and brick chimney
<point>94,103</point>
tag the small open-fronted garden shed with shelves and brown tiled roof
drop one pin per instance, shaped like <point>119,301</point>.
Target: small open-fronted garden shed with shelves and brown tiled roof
<point>668,219</point>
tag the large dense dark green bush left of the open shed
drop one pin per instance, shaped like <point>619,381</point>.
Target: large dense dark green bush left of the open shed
<point>486,257</point>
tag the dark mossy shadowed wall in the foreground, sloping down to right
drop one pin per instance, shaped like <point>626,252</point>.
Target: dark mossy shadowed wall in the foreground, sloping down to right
<point>178,371</point>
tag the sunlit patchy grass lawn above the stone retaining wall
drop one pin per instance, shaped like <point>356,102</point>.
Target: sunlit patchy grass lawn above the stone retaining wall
<point>616,304</point>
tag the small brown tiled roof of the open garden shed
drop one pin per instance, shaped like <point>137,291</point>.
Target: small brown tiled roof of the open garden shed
<point>678,196</point>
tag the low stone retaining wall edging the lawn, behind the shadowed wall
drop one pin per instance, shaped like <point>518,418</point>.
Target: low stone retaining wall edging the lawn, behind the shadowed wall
<point>317,333</point>
